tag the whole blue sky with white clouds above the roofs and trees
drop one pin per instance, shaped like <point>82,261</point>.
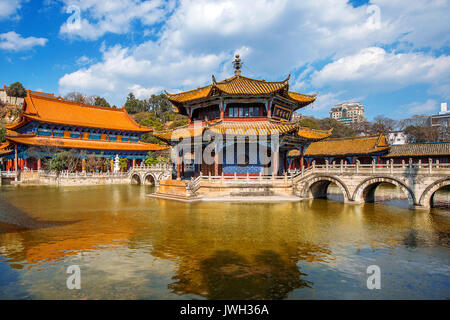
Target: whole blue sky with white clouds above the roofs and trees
<point>391,55</point>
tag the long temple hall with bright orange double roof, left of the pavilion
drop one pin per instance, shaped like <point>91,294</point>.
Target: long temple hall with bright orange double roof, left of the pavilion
<point>50,122</point>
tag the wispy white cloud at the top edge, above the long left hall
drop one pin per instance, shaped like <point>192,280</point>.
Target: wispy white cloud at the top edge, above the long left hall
<point>91,19</point>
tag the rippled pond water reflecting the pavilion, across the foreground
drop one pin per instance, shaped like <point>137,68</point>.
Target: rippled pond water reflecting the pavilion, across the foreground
<point>129,246</point>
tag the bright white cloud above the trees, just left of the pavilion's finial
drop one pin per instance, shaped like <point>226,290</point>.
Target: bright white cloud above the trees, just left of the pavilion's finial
<point>121,71</point>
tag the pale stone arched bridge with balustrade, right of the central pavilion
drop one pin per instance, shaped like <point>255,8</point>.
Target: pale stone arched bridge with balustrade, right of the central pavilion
<point>358,182</point>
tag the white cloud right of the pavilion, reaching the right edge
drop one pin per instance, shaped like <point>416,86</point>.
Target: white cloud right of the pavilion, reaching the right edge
<point>376,69</point>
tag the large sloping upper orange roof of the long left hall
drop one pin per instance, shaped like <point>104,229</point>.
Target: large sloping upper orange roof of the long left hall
<point>45,108</point>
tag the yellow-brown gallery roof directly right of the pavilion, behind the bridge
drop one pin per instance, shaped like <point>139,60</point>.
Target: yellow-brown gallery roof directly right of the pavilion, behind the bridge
<point>348,146</point>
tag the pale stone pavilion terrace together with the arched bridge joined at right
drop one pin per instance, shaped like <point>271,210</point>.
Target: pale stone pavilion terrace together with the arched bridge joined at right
<point>357,182</point>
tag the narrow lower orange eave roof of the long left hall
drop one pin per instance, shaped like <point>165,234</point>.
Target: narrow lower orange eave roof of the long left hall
<point>83,143</point>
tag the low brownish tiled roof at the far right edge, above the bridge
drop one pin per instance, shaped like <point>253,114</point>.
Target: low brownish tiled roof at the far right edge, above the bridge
<point>420,149</point>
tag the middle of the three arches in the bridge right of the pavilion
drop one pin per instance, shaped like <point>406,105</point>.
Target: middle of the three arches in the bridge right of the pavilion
<point>365,191</point>
